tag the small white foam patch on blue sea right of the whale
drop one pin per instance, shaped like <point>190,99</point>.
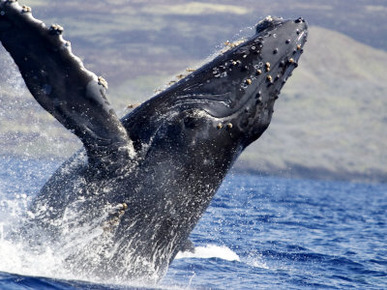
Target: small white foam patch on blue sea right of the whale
<point>210,251</point>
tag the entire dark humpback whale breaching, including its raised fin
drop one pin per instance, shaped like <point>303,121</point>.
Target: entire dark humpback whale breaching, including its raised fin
<point>146,179</point>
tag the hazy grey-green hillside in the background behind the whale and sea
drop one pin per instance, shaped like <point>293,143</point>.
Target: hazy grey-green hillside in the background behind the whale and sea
<point>329,121</point>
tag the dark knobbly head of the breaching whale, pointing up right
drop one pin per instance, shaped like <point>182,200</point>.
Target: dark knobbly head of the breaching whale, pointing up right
<point>227,103</point>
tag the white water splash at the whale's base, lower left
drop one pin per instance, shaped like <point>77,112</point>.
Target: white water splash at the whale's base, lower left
<point>55,259</point>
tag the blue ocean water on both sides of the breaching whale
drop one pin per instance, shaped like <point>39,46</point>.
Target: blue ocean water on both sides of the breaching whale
<point>259,233</point>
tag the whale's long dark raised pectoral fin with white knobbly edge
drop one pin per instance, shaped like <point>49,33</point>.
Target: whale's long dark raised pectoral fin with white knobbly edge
<point>60,83</point>
